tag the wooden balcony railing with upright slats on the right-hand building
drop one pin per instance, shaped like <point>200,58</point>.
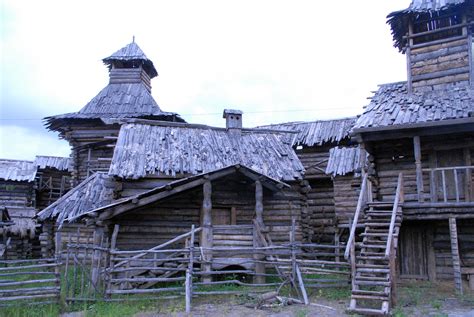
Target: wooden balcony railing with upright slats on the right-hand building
<point>448,183</point>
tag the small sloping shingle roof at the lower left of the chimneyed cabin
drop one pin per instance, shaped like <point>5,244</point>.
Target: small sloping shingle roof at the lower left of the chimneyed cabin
<point>95,191</point>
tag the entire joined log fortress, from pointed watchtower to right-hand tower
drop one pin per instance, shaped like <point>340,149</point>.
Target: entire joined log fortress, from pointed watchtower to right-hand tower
<point>392,188</point>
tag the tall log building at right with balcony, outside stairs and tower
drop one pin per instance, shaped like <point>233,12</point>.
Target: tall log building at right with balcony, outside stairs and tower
<point>416,203</point>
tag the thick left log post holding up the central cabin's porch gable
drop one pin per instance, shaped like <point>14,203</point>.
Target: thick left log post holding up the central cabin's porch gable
<point>206,233</point>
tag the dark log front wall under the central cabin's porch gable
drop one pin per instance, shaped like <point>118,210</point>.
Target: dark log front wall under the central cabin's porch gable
<point>162,221</point>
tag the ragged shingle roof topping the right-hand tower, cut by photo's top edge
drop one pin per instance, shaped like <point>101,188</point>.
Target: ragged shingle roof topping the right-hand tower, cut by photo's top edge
<point>398,20</point>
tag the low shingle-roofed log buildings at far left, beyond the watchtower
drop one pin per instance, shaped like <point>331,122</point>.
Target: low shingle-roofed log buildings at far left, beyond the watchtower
<point>25,187</point>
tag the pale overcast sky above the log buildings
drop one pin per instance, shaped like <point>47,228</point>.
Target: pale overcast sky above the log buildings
<point>277,61</point>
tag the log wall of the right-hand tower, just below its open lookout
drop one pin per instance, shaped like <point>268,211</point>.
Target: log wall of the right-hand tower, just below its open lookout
<point>434,66</point>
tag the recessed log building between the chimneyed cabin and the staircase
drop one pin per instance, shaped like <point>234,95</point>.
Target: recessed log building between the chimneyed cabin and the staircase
<point>313,142</point>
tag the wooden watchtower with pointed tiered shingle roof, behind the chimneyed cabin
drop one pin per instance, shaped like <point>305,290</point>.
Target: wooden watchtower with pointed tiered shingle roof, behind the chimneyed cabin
<point>93,130</point>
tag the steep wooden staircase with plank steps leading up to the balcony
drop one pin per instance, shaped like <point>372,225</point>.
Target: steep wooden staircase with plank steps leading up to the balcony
<point>373,256</point>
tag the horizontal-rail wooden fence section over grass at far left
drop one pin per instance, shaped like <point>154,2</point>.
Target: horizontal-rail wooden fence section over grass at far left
<point>29,282</point>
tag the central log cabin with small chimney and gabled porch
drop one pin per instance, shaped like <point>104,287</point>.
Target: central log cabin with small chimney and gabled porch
<point>166,177</point>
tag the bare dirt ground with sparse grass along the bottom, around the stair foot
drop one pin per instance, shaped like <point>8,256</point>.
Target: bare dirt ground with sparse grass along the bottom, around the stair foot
<point>415,299</point>
